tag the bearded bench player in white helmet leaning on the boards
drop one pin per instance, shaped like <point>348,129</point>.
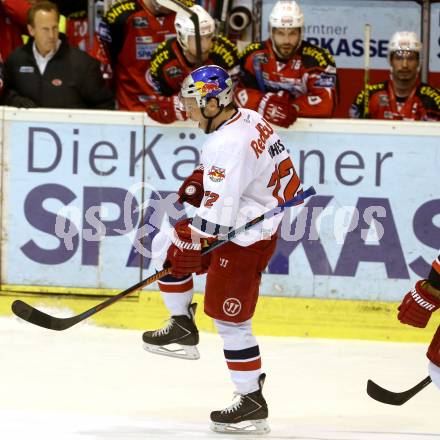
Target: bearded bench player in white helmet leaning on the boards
<point>285,77</point>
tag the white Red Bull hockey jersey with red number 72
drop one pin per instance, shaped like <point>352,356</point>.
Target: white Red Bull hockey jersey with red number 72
<point>247,171</point>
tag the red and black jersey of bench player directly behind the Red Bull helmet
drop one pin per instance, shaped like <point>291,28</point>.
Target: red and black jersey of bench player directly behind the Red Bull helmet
<point>169,67</point>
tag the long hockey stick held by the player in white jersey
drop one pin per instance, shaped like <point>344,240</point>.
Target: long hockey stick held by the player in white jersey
<point>35,316</point>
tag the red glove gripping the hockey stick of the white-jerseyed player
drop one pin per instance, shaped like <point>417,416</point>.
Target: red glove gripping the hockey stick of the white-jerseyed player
<point>184,255</point>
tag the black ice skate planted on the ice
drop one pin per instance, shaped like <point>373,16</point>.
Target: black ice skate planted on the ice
<point>246,416</point>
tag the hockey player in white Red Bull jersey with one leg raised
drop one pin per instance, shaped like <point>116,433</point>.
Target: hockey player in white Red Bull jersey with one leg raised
<point>245,170</point>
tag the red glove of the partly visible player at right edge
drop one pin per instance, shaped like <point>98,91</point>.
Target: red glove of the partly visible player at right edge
<point>417,306</point>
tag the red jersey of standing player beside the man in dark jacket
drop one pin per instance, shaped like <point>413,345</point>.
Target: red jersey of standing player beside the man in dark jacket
<point>135,34</point>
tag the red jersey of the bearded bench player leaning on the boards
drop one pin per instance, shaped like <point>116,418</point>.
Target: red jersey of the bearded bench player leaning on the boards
<point>309,77</point>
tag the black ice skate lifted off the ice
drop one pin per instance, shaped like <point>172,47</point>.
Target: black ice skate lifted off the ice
<point>180,331</point>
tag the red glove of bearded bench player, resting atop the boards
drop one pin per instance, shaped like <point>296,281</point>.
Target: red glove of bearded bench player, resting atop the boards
<point>277,109</point>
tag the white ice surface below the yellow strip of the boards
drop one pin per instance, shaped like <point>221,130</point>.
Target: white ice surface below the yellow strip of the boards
<point>96,383</point>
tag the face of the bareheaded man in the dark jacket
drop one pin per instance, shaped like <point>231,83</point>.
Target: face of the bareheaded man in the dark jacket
<point>45,31</point>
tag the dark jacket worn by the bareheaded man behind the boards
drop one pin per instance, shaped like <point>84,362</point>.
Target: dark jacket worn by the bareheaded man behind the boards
<point>72,79</point>
